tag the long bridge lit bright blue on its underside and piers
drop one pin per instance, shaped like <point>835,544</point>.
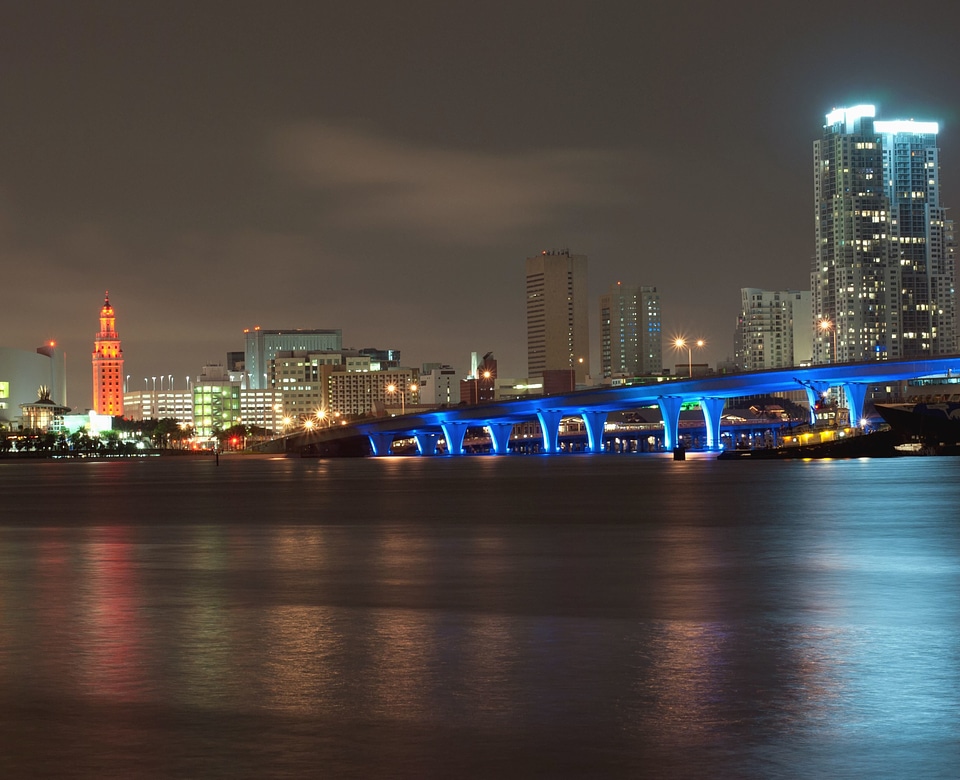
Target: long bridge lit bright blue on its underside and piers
<point>593,406</point>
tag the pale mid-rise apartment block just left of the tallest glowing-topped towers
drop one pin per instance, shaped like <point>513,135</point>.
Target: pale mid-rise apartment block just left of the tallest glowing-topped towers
<point>773,329</point>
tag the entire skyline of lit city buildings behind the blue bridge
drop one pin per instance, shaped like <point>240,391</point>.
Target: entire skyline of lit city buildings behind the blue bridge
<point>883,286</point>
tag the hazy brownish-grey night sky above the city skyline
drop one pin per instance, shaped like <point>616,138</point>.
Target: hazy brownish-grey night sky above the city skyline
<point>385,168</point>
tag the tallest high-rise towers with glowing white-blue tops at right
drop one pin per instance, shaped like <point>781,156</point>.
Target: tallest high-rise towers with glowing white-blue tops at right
<point>882,280</point>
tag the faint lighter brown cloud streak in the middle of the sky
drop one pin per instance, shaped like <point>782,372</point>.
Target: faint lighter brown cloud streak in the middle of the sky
<point>443,195</point>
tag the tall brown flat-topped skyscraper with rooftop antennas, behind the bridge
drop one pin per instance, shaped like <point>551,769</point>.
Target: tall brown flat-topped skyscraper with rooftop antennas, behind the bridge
<point>558,331</point>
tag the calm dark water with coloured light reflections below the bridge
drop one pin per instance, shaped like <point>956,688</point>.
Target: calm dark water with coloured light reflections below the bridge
<point>579,616</point>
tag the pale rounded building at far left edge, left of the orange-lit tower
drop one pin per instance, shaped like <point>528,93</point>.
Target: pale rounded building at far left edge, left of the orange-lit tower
<point>22,374</point>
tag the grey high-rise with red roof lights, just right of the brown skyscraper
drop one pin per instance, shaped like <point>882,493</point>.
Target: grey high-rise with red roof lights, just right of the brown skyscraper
<point>630,331</point>
